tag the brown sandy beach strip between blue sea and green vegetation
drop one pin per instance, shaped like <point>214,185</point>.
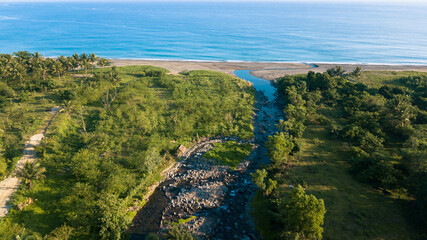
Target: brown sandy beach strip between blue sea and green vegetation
<point>267,70</point>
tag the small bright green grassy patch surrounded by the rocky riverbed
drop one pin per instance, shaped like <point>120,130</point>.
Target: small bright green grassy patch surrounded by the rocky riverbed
<point>229,153</point>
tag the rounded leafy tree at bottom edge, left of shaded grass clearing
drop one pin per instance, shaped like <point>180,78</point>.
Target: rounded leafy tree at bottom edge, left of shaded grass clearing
<point>301,215</point>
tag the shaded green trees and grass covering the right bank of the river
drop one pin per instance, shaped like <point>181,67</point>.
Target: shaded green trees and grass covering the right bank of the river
<point>359,145</point>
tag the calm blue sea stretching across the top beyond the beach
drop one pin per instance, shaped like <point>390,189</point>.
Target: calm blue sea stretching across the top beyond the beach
<point>220,31</point>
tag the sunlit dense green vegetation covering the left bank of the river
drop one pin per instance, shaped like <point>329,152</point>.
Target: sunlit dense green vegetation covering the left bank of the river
<point>118,130</point>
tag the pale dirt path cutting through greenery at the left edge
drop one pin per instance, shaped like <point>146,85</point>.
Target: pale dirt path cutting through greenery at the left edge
<point>9,185</point>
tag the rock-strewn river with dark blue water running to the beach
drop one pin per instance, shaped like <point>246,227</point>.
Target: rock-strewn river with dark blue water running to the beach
<point>215,197</point>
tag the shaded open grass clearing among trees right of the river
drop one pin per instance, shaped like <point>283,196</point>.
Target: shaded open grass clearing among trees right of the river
<point>354,210</point>
